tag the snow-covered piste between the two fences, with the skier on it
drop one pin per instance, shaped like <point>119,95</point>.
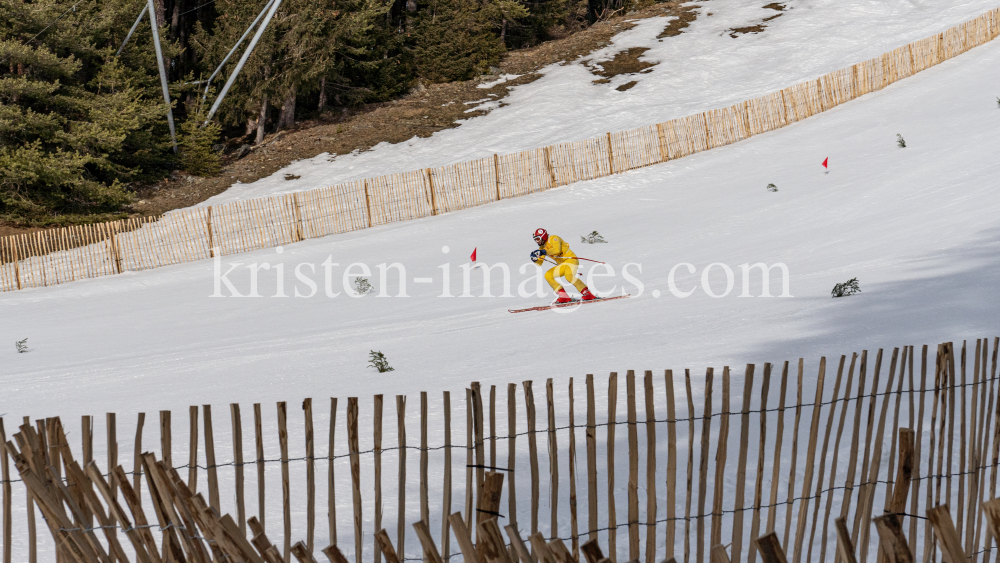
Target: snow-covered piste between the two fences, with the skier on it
<point>918,226</point>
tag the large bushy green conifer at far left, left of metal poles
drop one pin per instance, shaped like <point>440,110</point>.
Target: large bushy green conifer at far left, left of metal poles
<point>75,127</point>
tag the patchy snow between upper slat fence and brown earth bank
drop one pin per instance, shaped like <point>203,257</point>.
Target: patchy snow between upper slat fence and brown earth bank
<point>701,69</point>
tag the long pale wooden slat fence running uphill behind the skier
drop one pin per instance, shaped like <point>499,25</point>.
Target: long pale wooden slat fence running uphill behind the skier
<point>61,255</point>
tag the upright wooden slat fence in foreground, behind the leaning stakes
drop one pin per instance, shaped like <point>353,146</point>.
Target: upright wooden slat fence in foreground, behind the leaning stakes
<point>943,405</point>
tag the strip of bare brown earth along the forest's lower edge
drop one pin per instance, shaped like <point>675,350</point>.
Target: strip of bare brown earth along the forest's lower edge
<point>424,111</point>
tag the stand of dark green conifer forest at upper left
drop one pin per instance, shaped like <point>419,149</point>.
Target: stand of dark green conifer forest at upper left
<point>81,126</point>
